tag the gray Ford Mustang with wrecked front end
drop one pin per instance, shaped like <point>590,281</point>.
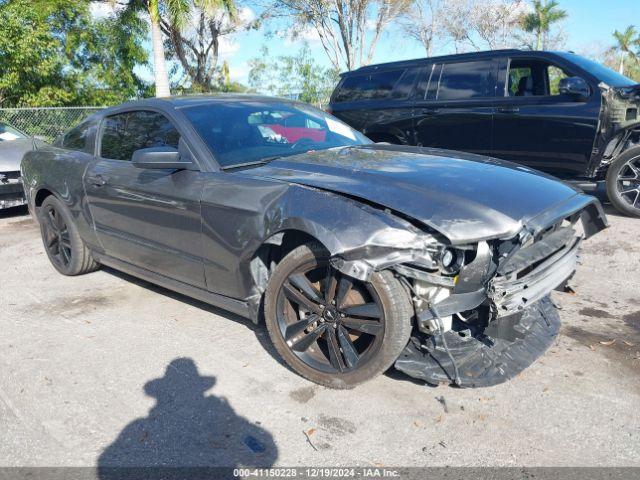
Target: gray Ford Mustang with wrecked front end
<point>358,256</point>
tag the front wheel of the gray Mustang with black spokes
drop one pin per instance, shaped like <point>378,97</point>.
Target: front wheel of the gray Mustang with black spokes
<point>374,318</point>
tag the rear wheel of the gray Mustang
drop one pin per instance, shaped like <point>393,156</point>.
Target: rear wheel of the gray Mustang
<point>65,249</point>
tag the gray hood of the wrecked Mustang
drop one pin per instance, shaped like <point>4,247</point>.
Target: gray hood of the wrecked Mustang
<point>463,196</point>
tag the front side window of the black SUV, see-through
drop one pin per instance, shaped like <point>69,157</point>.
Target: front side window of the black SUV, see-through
<point>534,78</point>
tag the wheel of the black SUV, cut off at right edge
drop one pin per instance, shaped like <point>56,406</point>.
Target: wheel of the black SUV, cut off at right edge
<point>623,182</point>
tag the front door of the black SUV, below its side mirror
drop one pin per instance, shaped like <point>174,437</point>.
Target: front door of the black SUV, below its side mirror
<point>537,126</point>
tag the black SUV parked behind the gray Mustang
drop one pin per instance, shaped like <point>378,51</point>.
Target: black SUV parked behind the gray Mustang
<point>553,111</point>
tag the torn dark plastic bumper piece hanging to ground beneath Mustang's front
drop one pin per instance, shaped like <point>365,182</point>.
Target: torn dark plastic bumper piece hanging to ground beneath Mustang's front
<point>505,348</point>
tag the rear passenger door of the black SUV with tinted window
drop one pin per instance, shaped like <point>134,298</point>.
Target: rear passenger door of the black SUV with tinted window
<point>453,107</point>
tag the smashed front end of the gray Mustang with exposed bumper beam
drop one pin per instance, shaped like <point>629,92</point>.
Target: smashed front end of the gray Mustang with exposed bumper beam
<point>482,310</point>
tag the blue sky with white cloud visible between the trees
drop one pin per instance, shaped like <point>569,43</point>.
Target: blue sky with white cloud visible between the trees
<point>588,29</point>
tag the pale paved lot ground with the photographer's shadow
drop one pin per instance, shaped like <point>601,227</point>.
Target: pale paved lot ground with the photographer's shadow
<point>105,369</point>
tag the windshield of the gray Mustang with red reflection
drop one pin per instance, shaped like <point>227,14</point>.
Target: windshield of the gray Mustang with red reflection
<point>240,132</point>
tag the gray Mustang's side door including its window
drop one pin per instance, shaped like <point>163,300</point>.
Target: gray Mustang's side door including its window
<point>147,217</point>
